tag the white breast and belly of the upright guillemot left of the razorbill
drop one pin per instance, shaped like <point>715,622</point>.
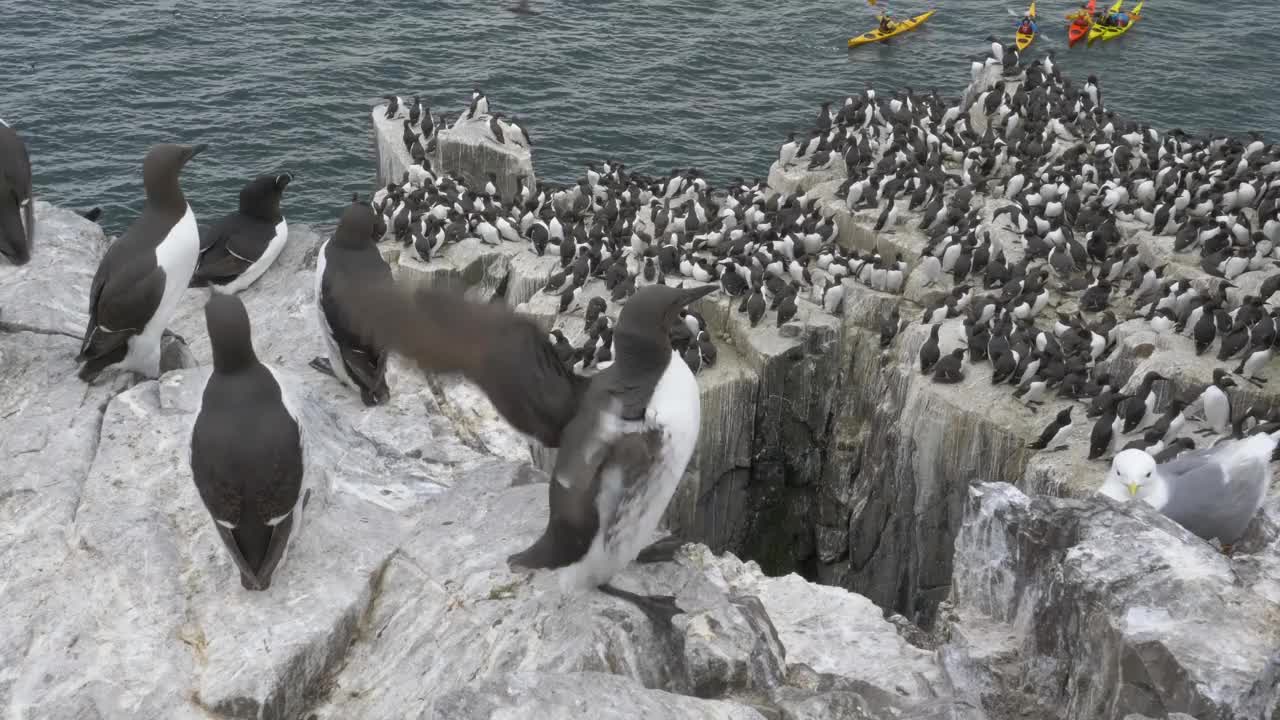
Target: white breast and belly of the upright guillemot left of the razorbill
<point>179,254</point>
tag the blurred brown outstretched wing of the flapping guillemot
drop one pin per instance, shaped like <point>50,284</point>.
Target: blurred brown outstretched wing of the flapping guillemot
<point>508,356</point>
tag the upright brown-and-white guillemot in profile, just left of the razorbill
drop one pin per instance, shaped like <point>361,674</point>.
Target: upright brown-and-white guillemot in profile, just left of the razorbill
<point>143,276</point>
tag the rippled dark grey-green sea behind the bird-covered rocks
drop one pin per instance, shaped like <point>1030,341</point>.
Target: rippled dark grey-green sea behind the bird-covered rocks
<point>289,85</point>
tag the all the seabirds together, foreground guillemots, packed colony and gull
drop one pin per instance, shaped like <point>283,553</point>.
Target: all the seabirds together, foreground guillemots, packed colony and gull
<point>623,404</point>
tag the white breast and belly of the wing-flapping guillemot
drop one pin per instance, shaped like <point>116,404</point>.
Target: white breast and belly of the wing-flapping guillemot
<point>628,527</point>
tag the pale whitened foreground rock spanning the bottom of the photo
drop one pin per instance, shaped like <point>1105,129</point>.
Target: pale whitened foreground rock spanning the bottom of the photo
<point>396,603</point>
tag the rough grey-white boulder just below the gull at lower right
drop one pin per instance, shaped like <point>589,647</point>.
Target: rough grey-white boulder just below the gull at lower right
<point>1109,609</point>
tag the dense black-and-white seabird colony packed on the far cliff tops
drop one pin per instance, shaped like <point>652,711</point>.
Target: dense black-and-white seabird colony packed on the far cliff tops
<point>1044,222</point>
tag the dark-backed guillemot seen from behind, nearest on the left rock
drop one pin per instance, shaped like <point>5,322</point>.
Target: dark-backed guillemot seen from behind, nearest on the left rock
<point>248,455</point>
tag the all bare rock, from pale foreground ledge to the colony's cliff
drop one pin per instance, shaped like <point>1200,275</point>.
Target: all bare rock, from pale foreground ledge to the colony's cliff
<point>820,452</point>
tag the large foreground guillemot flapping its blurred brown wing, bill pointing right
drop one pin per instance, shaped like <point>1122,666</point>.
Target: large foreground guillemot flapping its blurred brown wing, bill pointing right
<point>625,435</point>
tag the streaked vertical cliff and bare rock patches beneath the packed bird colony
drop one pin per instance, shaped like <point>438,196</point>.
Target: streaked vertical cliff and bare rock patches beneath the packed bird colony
<point>826,455</point>
